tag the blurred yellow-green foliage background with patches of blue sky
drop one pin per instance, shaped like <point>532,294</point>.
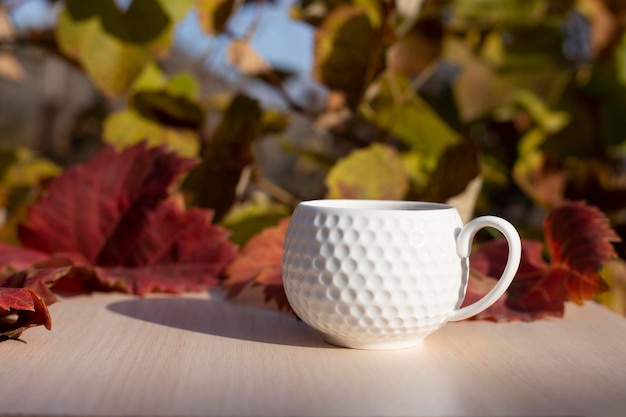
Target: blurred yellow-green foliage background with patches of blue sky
<point>507,107</point>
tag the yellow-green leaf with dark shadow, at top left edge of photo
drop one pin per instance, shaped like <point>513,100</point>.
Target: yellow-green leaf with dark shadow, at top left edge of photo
<point>114,46</point>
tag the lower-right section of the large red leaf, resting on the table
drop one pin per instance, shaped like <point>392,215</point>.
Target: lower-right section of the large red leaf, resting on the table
<point>179,243</point>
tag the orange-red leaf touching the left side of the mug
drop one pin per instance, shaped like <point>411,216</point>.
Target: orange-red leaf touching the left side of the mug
<point>260,263</point>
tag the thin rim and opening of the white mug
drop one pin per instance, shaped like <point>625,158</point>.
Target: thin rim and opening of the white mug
<point>374,205</point>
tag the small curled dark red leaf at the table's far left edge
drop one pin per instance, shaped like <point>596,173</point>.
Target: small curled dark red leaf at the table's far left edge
<point>24,297</point>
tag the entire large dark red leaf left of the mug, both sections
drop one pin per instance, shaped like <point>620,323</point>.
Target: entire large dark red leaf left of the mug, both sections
<point>116,220</point>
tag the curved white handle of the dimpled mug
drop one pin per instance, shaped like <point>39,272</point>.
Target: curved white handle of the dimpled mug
<point>464,247</point>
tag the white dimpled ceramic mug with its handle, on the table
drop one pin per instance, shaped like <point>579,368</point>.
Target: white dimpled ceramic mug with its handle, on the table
<point>384,274</point>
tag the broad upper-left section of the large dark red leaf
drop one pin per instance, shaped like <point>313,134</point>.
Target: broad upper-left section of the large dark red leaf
<point>93,210</point>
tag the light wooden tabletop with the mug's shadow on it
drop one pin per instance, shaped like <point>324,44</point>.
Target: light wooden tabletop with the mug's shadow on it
<point>116,355</point>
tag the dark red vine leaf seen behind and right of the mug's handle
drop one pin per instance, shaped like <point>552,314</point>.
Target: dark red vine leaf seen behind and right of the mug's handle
<point>578,243</point>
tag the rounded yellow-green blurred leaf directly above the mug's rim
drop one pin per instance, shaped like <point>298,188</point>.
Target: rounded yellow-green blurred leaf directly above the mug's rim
<point>375,172</point>
